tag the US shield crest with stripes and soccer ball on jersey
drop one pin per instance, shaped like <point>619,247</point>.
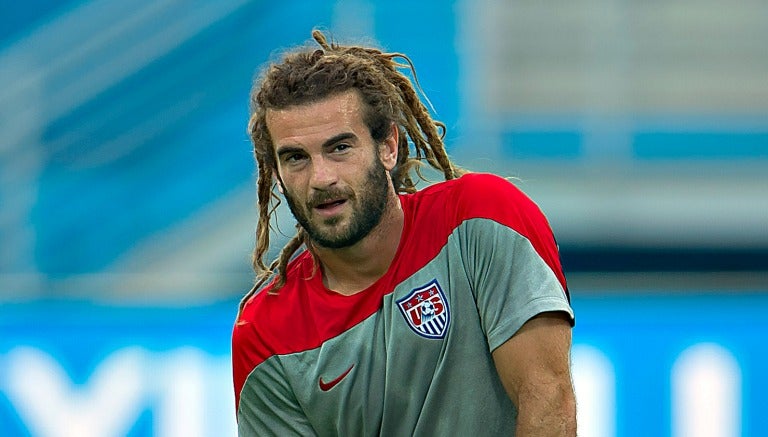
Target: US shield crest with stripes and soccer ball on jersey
<point>426,310</point>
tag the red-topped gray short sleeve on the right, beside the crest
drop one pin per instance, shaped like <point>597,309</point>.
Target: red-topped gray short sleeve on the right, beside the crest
<point>510,254</point>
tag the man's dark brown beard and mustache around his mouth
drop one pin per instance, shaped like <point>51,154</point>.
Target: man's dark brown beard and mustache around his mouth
<point>367,209</point>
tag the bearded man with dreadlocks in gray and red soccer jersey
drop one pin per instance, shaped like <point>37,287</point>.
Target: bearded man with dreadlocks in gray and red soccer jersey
<point>435,312</point>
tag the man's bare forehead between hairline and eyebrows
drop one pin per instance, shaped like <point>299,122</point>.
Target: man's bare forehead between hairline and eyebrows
<point>316,121</point>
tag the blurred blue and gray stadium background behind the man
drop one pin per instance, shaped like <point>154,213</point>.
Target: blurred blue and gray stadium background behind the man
<point>127,194</point>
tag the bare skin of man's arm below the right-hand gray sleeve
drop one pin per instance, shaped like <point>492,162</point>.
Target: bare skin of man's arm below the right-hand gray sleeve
<point>534,366</point>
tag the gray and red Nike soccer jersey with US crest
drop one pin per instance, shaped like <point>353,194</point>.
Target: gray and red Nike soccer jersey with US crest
<point>411,354</point>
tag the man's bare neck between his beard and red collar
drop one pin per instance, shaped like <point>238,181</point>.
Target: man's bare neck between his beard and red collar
<point>353,269</point>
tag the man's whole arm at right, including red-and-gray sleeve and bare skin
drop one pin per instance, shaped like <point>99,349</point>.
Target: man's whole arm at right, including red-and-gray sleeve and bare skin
<point>521,295</point>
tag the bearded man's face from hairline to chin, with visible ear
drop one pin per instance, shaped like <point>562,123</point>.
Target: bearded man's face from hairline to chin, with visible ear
<point>334,177</point>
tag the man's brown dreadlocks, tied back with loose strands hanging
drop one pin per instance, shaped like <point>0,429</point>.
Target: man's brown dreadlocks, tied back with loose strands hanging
<point>307,76</point>
